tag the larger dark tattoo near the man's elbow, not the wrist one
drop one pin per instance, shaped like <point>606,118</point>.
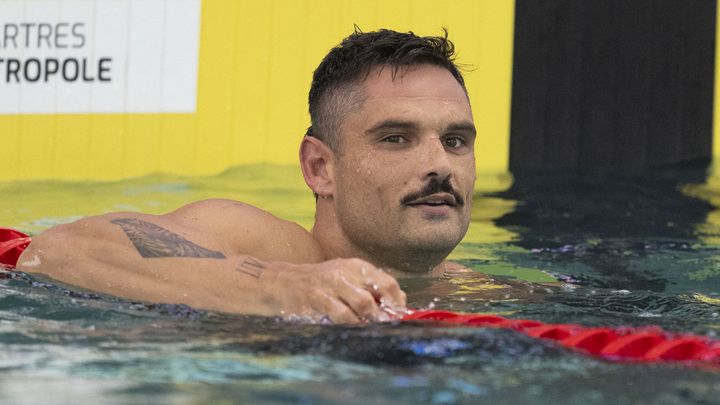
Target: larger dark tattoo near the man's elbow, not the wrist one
<point>153,241</point>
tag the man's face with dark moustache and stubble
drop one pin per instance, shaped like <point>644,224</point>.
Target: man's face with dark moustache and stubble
<point>405,171</point>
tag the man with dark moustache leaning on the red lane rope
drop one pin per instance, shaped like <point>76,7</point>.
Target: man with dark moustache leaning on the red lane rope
<point>389,156</point>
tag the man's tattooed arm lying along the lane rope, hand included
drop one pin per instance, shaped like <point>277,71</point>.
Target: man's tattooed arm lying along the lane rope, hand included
<point>140,259</point>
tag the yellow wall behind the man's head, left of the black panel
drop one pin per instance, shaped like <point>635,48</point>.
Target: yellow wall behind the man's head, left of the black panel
<point>256,60</point>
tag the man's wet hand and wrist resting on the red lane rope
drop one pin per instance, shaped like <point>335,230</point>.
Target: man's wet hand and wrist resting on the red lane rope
<point>341,290</point>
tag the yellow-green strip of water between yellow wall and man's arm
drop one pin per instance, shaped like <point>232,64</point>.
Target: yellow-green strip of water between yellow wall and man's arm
<point>35,206</point>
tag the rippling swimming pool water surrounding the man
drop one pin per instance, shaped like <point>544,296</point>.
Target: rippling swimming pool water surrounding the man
<point>630,249</point>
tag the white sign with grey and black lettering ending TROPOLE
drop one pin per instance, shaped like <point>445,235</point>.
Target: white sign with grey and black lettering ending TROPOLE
<point>98,56</point>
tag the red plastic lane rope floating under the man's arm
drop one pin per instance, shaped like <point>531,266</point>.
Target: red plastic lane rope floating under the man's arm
<point>647,344</point>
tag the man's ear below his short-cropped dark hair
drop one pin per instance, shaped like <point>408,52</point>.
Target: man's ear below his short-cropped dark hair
<point>317,162</point>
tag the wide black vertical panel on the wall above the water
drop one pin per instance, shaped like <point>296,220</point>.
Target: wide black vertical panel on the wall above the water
<point>612,83</point>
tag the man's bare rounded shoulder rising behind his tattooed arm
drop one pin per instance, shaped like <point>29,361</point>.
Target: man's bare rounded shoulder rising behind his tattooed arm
<point>246,229</point>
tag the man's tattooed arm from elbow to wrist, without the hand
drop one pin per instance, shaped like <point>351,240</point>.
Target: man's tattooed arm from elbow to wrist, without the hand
<point>157,266</point>
